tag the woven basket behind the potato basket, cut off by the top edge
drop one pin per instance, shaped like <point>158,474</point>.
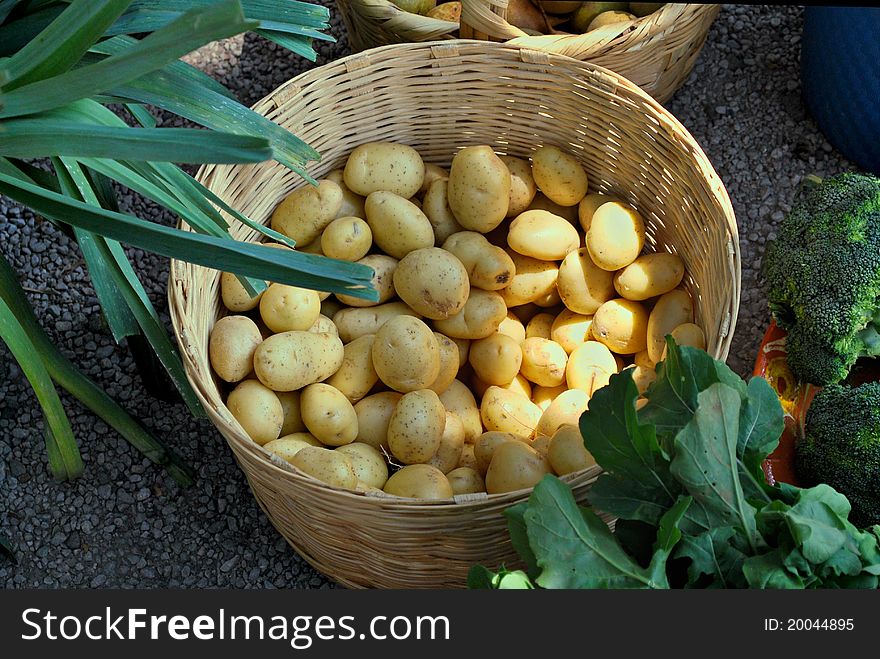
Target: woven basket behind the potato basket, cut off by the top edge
<point>657,52</point>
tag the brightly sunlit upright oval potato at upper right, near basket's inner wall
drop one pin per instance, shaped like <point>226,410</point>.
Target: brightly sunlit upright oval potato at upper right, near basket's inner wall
<point>616,236</point>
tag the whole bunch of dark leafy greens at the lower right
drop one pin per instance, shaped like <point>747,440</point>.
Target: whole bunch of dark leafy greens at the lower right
<point>684,478</point>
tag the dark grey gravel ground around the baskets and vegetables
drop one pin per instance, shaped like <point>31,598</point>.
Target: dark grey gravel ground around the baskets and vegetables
<point>125,524</point>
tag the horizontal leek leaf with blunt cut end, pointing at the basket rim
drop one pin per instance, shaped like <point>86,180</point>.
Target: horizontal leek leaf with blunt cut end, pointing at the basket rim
<point>40,137</point>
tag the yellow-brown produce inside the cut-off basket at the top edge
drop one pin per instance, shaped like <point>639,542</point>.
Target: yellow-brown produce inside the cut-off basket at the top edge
<point>537,17</point>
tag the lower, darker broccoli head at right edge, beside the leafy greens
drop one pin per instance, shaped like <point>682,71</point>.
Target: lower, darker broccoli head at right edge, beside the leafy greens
<point>841,447</point>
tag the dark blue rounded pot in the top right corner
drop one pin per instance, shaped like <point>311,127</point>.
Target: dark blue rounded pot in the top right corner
<point>840,70</point>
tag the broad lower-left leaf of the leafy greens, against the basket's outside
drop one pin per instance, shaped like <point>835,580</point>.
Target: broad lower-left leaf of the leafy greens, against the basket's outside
<point>573,547</point>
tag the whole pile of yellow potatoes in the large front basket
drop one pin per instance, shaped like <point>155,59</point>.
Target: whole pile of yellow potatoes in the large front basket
<point>508,296</point>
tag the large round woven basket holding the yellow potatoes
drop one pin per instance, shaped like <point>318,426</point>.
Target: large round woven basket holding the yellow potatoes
<point>439,97</point>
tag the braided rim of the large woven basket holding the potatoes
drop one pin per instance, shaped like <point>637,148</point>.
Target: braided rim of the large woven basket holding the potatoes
<point>439,49</point>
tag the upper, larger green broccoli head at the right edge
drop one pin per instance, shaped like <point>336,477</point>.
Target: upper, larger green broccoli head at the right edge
<point>823,278</point>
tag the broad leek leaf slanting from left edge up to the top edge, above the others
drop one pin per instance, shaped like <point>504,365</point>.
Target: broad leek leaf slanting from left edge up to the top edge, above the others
<point>192,30</point>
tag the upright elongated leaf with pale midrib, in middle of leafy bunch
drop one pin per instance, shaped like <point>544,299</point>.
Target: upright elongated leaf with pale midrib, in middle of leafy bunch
<point>705,460</point>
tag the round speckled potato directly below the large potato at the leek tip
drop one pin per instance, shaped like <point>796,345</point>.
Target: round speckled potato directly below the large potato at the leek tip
<point>406,354</point>
